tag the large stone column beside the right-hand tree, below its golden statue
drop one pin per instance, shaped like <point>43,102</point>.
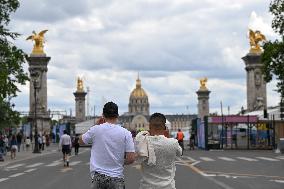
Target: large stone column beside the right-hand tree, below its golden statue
<point>256,86</point>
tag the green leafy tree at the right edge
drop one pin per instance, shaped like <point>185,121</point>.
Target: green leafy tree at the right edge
<point>273,55</point>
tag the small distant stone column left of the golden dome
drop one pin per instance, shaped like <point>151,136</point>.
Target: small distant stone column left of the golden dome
<point>80,105</point>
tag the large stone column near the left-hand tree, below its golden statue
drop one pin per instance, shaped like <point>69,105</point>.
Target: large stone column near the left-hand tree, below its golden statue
<point>38,75</point>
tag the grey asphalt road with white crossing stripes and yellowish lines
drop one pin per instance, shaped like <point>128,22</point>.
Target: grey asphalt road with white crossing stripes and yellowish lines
<point>196,169</point>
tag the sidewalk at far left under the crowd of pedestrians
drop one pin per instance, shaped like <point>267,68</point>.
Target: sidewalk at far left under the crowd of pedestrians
<point>25,154</point>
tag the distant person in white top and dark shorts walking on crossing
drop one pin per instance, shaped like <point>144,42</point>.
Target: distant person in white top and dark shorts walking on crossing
<point>65,144</point>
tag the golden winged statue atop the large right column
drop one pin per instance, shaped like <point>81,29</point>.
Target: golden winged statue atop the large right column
<point>254,39</point>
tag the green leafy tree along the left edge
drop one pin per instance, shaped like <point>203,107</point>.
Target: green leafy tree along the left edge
<point>12,59</point>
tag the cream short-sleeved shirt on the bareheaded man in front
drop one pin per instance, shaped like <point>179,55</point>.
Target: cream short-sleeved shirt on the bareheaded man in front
<point>161,175</point>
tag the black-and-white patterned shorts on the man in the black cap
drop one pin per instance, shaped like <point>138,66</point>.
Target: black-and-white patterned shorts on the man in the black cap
<point>101,181</point>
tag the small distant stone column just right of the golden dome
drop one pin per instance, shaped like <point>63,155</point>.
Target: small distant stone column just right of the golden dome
<point>203,102</point>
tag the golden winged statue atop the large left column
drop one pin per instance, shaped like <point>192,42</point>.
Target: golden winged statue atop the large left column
<point>38,41</point>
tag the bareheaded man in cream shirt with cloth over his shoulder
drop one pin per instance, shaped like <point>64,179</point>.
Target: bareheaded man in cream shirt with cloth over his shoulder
<point>158,154</point>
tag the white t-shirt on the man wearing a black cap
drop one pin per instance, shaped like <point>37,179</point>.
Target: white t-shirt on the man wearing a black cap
<point>109,144</point>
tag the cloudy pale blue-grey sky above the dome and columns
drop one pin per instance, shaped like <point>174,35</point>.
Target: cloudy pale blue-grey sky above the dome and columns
<point>171,44</point>
